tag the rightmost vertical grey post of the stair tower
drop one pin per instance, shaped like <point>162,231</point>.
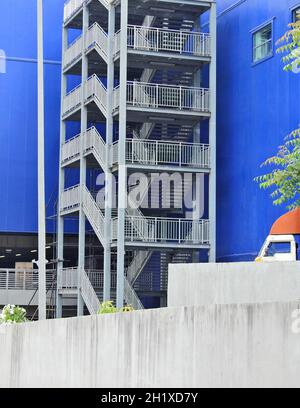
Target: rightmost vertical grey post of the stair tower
<point>213,130</point>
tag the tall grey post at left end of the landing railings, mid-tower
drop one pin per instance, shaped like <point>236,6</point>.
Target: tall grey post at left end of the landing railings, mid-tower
<point>122,188</point>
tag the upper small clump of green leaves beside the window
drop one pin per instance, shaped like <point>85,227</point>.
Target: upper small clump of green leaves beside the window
<point>291,46</point>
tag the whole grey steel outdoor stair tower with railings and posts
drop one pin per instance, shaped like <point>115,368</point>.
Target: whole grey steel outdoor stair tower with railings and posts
<point>140,64</point>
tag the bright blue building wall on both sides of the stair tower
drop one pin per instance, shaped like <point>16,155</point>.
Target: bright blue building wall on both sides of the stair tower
<point>257,107</point>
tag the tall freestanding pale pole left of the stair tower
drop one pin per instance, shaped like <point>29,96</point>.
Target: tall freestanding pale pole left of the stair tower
<point>41,167</point>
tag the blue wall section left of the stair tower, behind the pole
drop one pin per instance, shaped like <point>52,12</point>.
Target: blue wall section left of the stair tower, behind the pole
<point>18,111</point>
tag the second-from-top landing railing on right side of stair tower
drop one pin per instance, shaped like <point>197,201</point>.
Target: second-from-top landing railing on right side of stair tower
<point>166,96</point>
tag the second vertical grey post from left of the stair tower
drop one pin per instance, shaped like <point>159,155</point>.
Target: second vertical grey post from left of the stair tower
<point>83,169</point>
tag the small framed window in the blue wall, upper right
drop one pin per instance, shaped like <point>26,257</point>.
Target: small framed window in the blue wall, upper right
<point>263,43</point>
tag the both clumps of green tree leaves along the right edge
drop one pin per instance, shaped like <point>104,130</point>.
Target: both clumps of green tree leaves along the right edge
<point>284,178</point>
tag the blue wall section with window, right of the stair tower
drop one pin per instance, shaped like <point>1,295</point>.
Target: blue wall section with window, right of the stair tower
<point>258,105</point>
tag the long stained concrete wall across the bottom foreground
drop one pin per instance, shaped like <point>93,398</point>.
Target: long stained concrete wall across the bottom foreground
<point>210,346</point>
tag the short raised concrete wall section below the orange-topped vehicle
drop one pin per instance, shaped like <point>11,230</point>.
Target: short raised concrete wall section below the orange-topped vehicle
<point>204,284</point>
